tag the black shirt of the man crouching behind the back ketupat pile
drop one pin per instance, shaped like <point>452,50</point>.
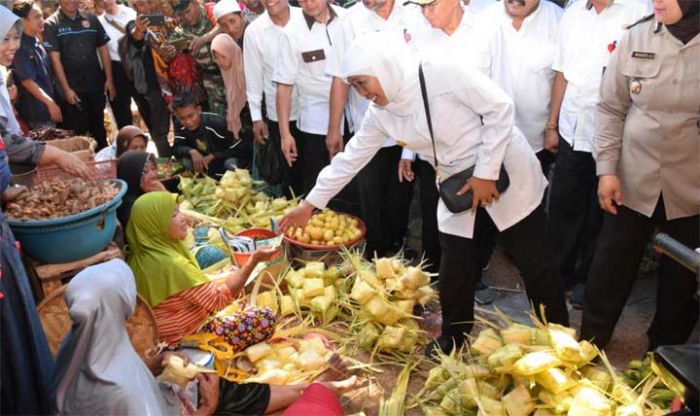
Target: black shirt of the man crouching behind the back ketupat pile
<point>211,137</point>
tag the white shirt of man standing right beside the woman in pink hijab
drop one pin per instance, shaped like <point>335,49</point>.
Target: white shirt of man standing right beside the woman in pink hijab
<point>261,44</point>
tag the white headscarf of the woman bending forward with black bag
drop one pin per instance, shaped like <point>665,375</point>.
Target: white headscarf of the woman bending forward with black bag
<point>386,56</point>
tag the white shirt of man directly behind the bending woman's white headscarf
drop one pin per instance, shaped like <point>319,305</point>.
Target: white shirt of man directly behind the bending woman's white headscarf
<point>405,20</point>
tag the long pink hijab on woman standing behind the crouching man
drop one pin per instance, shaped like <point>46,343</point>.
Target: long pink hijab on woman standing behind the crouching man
<point>234,80</point>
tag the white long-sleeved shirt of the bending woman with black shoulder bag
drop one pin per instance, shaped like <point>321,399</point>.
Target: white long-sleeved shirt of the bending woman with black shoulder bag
<point>462,140</point>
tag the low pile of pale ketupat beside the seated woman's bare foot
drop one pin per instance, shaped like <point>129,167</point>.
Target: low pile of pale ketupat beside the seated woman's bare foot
<point>291,361</point>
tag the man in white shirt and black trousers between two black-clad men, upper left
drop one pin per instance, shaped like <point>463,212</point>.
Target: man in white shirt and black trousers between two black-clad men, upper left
<point>114,20</point>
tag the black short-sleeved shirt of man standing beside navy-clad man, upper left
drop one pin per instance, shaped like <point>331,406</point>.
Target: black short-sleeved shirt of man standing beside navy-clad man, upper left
<point>77,40</point>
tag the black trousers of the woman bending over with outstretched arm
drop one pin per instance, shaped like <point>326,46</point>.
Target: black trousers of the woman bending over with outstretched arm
<point>526,243</point>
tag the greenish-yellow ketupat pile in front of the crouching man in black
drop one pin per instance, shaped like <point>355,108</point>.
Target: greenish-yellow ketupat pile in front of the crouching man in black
<point>232,202</point>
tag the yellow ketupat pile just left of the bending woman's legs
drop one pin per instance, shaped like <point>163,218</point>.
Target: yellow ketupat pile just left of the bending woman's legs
<point>383,296</point>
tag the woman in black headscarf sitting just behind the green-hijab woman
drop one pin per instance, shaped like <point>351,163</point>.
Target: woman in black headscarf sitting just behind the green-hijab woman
<point>138,169</point>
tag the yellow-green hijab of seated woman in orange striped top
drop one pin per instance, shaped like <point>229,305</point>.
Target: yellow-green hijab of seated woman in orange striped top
<point>162,266</point>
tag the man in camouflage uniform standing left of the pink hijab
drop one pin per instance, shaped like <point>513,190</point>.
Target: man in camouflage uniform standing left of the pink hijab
<point>196,27</point>
